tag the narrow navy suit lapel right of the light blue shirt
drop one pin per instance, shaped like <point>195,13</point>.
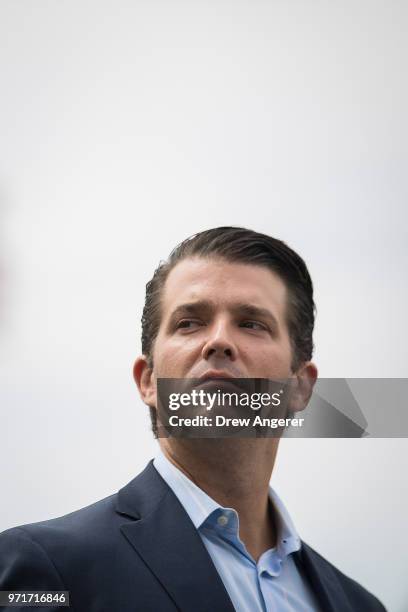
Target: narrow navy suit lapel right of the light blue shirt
<point>323,580</point>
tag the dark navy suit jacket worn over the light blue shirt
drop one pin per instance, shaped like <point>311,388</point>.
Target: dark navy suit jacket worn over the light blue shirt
<point>138,551</point>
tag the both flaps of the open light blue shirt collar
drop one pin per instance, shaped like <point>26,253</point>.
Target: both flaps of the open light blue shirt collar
<point>199,506</point>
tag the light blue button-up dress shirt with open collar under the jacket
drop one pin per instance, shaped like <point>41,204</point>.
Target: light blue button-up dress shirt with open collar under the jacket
<point>274,584</point>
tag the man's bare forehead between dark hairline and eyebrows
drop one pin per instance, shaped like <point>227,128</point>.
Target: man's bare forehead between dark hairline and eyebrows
<point>224,283</point>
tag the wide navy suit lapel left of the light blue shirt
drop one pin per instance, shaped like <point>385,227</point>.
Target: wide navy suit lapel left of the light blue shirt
<point>166,539</point>
